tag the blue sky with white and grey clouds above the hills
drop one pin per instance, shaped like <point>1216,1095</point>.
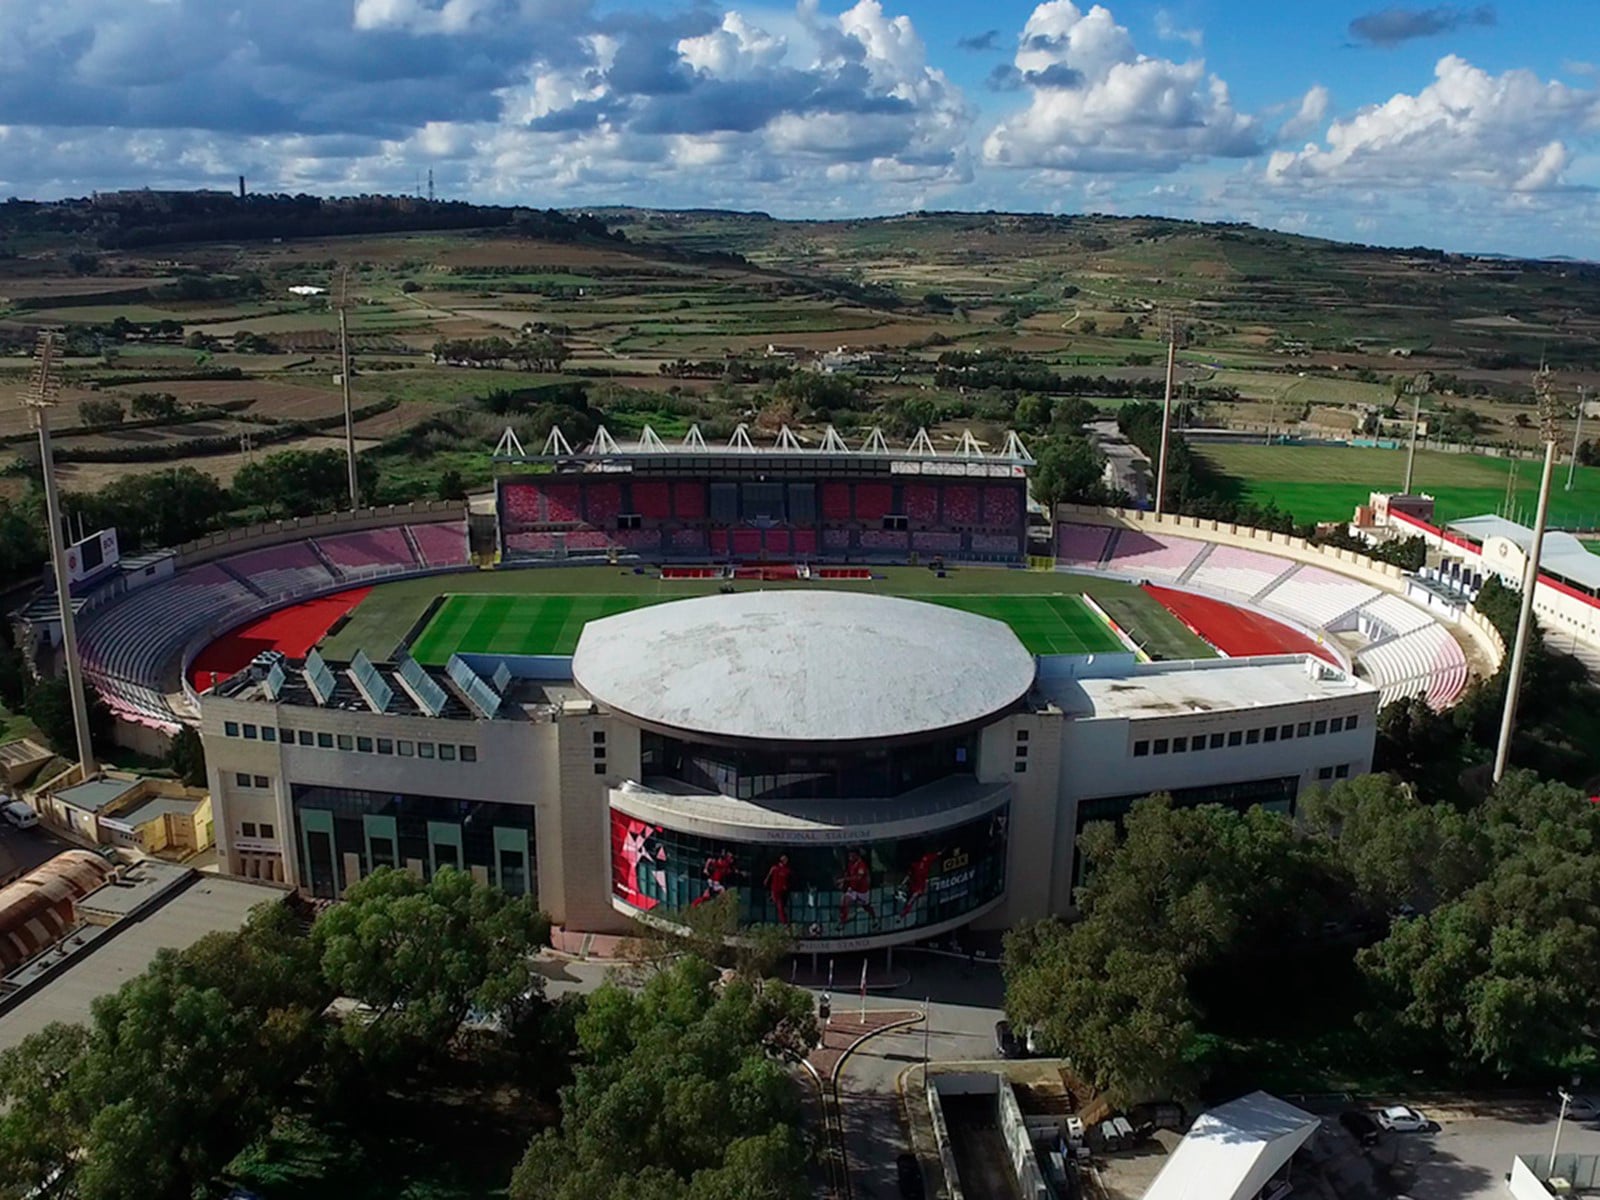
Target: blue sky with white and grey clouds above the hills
<point>1463,127</point>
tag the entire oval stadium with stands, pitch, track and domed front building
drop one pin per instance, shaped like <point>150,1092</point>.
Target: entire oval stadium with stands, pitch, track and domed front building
<point>854,687</point>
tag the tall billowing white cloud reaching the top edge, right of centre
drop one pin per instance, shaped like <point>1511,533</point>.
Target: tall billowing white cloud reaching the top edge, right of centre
<point>1100,105</point>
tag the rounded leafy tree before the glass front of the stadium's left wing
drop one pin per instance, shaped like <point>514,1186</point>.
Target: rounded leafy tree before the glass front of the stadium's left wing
<point>422,956</point>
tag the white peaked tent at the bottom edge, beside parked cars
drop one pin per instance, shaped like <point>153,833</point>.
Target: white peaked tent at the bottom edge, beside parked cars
<point>1233,1151</point>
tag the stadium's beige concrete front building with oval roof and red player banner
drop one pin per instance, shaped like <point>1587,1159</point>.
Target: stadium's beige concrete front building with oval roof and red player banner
<point>866,770</point>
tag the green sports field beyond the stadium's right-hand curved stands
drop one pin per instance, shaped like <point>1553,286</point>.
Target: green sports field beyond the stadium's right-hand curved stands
<point>1326,484</point>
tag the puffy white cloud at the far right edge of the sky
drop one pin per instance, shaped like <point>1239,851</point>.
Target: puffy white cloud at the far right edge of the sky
<point>1502,132</point>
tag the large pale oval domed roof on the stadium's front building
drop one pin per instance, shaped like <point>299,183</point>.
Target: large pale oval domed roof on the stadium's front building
<point>802,666</point>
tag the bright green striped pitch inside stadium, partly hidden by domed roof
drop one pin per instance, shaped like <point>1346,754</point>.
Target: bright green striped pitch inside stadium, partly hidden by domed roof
<point>550,625</point>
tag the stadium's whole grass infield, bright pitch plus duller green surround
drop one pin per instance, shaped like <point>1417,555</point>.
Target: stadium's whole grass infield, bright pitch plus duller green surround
<point>543,610</point>
